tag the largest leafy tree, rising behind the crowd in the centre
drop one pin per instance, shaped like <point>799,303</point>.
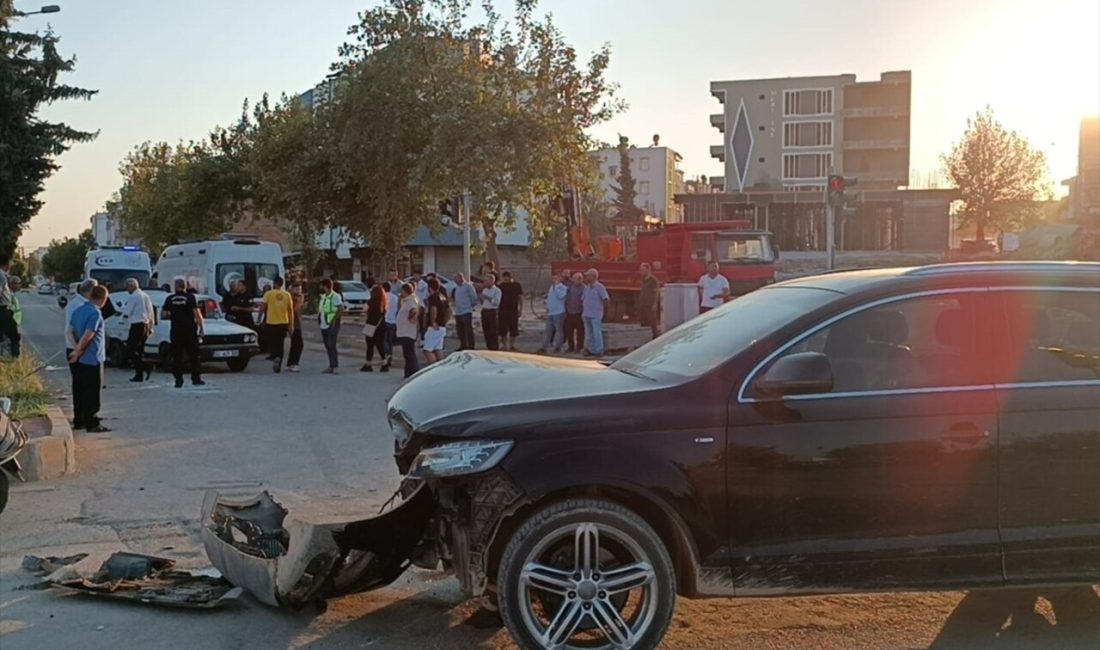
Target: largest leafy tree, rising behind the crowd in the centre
<point>433,106</point>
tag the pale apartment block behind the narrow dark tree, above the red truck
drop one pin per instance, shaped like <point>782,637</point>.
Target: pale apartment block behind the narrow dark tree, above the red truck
<point>657,177</point>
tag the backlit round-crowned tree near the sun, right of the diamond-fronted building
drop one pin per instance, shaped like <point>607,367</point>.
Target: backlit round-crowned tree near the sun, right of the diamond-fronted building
<point>999,175</point>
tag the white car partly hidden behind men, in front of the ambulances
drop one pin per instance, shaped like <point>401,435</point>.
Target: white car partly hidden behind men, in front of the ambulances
<point>223,340</point>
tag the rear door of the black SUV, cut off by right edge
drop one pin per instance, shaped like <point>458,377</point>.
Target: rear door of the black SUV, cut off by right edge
<point>1050,404</point>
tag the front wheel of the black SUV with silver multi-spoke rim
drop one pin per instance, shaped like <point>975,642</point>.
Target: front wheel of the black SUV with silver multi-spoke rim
<point>587,574</point>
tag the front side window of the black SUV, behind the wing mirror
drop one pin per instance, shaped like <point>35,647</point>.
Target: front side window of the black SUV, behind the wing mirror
<point>922,343</point>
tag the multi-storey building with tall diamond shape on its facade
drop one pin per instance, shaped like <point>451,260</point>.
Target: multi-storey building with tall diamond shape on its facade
<point>788,134</point>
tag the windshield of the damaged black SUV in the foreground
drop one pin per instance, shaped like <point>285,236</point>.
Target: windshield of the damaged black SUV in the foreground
<point>710,340</point>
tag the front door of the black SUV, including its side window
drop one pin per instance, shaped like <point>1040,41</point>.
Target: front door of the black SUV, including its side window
<point>887,481</point>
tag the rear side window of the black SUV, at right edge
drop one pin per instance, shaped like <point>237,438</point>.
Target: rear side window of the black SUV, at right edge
<point>1055,336</point>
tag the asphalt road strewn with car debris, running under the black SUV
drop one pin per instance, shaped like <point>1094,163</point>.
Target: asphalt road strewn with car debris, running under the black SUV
<point>320,443</point>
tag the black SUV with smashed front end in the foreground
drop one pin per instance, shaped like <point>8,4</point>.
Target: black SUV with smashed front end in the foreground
<point>933,428</point>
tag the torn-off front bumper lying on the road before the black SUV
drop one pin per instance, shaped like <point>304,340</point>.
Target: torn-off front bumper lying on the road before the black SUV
<point>285,560</point>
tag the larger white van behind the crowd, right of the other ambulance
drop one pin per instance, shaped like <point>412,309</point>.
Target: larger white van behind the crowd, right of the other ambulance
<point>213,267</point>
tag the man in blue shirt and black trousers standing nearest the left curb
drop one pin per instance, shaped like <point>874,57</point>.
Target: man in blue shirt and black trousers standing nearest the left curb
<point>87,358</point>
